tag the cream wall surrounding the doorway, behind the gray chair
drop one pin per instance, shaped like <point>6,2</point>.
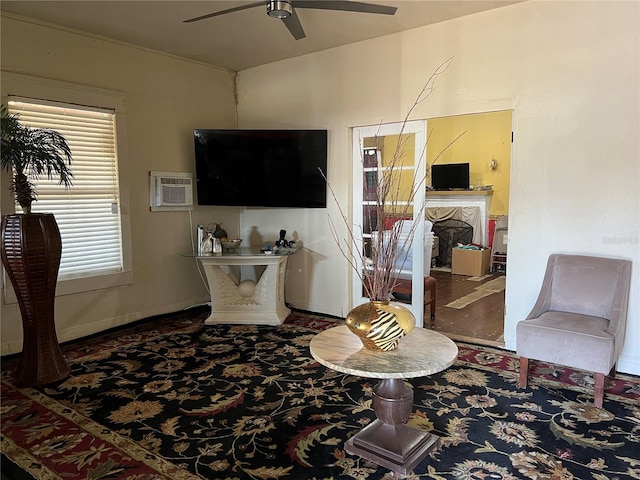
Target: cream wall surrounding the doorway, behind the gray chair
<point>569,71</point>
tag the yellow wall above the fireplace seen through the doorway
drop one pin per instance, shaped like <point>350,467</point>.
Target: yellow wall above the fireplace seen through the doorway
<point>487,137</point>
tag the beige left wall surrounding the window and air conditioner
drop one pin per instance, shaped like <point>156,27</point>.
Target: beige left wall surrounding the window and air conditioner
<point>165,99</point>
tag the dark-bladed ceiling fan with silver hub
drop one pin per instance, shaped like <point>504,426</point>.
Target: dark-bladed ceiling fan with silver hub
<point>285,11</point>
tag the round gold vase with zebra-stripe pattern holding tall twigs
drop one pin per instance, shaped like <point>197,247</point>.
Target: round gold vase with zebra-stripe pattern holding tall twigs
<point>380,325</point>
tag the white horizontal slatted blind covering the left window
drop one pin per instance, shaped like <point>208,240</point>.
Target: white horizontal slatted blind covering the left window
<point>87,213</point>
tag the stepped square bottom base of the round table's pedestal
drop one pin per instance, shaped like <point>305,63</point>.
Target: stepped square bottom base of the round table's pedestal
<point>396,447</point>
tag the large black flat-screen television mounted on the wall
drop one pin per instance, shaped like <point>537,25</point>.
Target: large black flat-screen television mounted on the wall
<point>261,168</point>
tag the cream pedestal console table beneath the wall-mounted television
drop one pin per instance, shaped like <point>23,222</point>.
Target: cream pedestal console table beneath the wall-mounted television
<point>246,302</point>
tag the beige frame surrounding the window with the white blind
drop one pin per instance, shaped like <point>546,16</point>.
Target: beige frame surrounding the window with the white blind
<point>15,84</point>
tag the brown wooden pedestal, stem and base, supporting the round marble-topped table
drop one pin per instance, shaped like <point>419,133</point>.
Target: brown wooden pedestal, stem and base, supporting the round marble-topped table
<point>388,441</point>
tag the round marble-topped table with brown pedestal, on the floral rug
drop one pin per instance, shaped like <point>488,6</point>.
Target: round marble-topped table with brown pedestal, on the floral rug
<point>388,441</point>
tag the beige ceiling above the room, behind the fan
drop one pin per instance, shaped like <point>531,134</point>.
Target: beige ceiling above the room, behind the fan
<point>241,39</point>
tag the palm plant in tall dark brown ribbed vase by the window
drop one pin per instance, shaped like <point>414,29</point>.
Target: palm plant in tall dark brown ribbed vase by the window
<point>31,246</point>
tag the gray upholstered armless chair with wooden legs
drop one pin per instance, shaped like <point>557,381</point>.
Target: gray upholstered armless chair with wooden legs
<point>579,318</point>
